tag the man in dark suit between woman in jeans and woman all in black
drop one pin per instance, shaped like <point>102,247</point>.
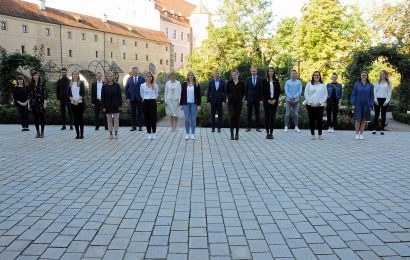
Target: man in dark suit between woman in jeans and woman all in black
<point>216,97</point>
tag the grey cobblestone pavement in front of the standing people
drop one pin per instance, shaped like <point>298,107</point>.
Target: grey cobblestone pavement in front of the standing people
<point>211,198</point>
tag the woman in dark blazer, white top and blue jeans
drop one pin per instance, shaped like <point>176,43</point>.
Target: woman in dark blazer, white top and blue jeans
<point>191,102</point>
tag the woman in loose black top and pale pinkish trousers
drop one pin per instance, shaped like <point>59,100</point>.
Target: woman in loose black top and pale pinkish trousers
<point>111,103</point>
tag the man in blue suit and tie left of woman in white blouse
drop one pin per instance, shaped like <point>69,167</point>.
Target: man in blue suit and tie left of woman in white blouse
<point>132,93</point>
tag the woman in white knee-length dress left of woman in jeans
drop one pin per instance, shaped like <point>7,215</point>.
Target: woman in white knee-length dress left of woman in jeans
<point>172,97</point>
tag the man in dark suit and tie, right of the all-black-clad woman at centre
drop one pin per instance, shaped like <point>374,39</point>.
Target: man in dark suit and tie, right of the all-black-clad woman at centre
<point>253,96</point>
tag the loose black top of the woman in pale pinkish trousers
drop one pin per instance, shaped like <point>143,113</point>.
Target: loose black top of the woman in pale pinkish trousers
<point>111,99</point>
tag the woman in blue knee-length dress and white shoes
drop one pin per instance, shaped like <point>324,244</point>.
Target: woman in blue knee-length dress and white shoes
<point>362,101</point>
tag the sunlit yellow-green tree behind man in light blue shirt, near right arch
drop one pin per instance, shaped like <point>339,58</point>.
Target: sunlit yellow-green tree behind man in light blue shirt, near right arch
<point>328,32</point>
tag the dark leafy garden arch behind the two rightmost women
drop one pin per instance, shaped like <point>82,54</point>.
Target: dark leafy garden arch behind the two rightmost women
<point>362,60</point>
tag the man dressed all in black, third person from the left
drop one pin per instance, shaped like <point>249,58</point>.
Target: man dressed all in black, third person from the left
<point>63,85</point>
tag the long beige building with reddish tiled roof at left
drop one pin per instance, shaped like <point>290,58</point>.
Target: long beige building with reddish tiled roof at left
<point>75,39</point>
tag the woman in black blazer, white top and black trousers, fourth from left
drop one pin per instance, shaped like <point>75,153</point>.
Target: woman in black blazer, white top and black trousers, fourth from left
<point>76,93</point>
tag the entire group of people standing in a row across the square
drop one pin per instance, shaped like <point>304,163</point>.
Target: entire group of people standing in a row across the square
<point>185,99</point>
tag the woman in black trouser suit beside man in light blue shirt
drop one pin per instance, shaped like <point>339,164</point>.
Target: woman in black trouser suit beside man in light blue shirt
<point>271,92</point>
